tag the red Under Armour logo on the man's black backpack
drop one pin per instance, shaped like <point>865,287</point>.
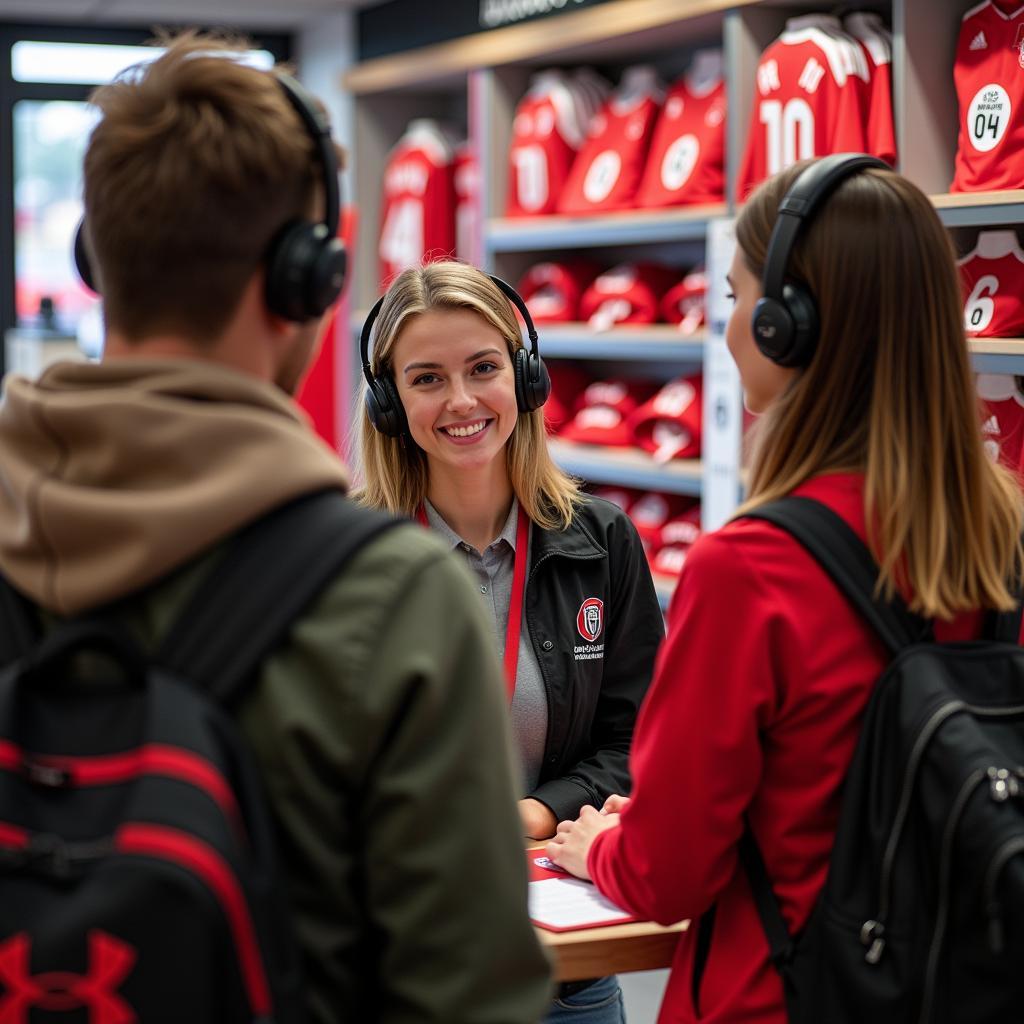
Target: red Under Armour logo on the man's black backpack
<point>110,963</point>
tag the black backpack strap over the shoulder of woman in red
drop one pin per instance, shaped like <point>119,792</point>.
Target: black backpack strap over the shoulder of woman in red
<point>844,557</point>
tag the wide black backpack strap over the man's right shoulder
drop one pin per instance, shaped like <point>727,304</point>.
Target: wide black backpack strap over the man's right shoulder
<point>270,575</point>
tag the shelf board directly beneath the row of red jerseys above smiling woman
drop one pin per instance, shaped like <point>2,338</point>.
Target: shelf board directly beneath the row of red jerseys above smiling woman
<point>625,229</point>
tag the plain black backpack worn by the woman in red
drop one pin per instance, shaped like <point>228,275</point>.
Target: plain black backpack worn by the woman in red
<point>921,920</point>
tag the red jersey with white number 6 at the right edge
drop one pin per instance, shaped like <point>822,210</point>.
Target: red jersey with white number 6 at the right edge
<point>994,287</point>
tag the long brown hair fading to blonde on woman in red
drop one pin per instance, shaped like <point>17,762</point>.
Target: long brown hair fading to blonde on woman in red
<point>889,393</point>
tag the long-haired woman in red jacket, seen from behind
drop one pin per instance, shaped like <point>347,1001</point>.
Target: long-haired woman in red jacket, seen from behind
<point>762,684</point>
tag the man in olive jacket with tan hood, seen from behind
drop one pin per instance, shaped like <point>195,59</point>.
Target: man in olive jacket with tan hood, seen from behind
<point>379,726</point>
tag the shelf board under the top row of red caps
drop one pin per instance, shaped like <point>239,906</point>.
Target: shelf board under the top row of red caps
<point>578,342</point>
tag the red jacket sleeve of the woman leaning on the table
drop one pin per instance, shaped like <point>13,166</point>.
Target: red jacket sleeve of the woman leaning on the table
<point>697,756</point>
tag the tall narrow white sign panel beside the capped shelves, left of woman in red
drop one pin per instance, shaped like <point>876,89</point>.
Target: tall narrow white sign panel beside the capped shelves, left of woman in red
<point>723,409</point>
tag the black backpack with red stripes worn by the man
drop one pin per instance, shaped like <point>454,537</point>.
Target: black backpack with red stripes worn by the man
<point>138,870</point>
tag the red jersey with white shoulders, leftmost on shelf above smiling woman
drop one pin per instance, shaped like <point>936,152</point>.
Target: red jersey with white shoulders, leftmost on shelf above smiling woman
<point>546,136</point>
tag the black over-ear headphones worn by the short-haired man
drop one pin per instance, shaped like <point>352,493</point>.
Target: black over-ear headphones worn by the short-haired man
<point>307,263</point>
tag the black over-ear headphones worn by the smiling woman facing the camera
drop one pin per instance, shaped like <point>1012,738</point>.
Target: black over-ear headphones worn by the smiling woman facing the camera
<point>533,386</point>
